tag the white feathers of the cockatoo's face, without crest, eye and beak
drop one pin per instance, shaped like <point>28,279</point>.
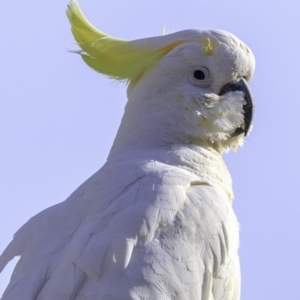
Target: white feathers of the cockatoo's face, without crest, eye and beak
<point>168,106</point>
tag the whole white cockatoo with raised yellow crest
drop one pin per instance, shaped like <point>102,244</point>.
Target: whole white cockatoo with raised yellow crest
<point>156,221</point>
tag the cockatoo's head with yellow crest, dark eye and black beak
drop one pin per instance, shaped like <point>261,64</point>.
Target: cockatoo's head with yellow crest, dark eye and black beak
<point>186,87</point>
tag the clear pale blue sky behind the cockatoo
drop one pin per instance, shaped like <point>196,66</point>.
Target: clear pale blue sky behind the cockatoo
<point>58,119</point>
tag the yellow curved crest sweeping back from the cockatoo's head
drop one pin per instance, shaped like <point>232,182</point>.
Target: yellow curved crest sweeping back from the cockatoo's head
<point>119,59</point>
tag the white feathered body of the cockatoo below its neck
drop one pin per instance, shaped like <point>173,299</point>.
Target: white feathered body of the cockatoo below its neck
<point>172,246</point>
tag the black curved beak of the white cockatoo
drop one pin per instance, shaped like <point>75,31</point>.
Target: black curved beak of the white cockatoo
<point>242,86</point>
